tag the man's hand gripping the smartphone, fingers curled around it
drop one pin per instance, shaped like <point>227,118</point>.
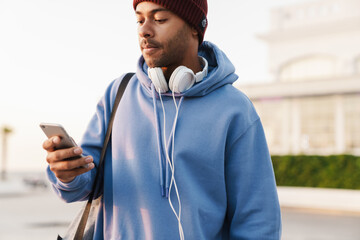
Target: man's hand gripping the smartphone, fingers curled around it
<point>64,169</point>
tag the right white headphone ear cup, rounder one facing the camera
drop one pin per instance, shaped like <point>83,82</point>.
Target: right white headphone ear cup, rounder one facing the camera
<point>181,79</point>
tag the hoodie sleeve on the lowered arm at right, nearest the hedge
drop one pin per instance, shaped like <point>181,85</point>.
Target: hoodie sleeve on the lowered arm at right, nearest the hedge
<point>253,206</point>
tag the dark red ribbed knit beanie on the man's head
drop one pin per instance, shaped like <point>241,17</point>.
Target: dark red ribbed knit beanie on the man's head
<point>192,11</point>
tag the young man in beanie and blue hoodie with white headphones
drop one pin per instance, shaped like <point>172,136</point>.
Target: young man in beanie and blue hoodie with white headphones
<point>188,156</point>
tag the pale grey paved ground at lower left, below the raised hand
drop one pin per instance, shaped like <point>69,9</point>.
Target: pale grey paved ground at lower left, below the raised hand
<point>39,215</point>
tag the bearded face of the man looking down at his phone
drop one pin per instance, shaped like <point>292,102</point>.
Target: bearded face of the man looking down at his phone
<point>163,36</point>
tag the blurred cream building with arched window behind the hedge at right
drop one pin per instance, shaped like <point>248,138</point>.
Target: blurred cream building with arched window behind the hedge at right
<point>313,105</point>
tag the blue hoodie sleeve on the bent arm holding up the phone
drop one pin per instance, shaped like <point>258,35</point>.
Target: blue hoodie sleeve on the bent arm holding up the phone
<point>92,141</point>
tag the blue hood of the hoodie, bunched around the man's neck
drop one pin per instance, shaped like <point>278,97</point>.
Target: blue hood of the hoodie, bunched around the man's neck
<point>220,72</point>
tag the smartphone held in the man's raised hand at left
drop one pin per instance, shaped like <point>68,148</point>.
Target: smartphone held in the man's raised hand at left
<point>54,129</point>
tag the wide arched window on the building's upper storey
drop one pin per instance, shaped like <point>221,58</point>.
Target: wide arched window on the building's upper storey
<point>308,68</point>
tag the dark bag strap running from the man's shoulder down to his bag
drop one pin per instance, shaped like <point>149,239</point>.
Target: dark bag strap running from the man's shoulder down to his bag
<point>82,224</point>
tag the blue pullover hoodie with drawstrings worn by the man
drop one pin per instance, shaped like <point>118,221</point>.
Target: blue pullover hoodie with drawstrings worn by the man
<point>222,166</point>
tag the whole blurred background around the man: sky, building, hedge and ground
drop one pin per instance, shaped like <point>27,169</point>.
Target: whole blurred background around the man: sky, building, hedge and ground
<point>297,60</point>
